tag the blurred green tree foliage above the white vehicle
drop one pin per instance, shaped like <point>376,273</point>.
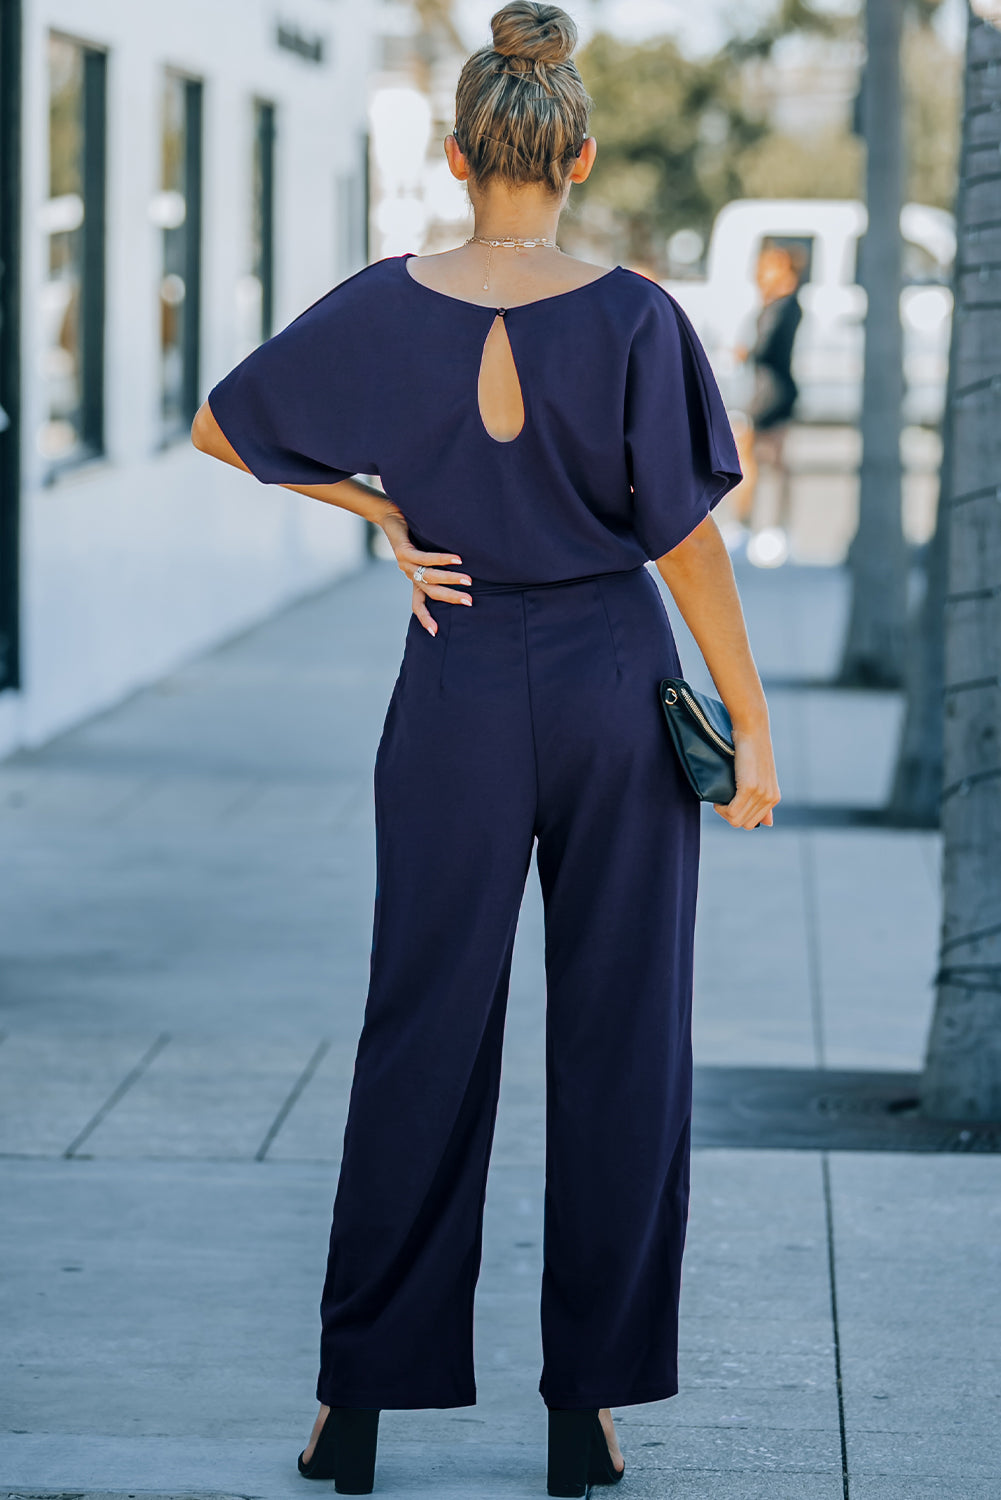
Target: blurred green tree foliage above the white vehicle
<point>676,139</point>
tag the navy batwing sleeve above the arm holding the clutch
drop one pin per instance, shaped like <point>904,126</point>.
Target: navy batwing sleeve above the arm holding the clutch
<point>679,443</point>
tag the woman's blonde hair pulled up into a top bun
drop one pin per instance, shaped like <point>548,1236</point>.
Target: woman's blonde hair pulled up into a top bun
<point>522,107</point>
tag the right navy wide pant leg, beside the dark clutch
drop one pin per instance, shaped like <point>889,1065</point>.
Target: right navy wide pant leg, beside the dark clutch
<point>619,844</point>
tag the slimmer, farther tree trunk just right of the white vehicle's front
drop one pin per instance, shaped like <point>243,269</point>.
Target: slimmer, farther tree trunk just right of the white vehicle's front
<point>877,559</point>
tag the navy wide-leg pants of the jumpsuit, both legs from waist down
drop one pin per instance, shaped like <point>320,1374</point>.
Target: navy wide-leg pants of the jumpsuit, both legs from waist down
<point>531,716</point>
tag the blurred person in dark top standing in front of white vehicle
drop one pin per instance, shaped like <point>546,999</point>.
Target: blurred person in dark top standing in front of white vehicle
<point>762,437</point>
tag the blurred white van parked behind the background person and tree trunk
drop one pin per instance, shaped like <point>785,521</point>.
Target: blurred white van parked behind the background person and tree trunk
<point>829,347</point>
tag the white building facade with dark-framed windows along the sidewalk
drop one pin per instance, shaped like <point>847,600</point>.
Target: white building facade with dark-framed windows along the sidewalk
<point>179,182</point>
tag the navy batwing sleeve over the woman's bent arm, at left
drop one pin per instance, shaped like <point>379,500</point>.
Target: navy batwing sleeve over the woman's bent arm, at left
<point>299,407</point>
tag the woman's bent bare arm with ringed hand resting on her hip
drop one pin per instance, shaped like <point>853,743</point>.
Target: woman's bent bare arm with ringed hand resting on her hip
<point>361,500</point>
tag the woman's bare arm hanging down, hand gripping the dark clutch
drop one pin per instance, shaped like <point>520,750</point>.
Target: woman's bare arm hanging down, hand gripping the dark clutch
<point>702,580</point>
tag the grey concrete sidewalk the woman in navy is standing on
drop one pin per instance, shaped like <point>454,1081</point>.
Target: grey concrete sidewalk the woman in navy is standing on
<point>184,958</point>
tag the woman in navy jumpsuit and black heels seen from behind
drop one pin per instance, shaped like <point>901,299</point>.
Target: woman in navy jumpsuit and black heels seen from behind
<point>546,428</point>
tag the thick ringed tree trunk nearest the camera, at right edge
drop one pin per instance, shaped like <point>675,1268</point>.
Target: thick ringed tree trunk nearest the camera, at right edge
<point>963,1067</point>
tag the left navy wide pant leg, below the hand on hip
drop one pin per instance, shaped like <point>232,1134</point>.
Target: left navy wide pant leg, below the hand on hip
<point>455,794</point>
